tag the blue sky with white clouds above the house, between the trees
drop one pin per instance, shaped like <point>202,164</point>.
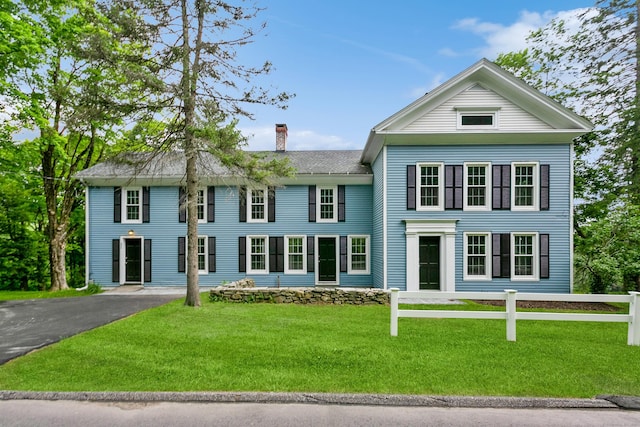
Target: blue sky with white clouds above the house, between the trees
<point>354,63</point>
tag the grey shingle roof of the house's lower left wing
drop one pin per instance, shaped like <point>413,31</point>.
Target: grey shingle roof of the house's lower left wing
<point>171,165</point>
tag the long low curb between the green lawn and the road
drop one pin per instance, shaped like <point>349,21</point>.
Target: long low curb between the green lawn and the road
<point>603,402</point>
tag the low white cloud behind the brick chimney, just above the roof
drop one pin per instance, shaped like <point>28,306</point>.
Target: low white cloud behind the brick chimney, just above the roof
<point>264,139</point>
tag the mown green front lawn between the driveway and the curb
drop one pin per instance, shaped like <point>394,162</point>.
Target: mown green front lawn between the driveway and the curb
<point>345,349</point>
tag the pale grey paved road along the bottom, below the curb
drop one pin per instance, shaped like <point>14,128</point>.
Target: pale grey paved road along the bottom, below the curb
<point>30,413</point>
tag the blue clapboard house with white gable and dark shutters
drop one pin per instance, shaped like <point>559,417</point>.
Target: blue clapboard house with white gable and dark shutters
<point>468,188</point>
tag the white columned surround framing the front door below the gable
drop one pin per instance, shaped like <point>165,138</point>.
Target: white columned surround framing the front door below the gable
<point>446,230</point>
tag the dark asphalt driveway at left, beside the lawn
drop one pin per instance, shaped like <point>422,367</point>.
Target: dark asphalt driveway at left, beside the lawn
<point>26,325</point>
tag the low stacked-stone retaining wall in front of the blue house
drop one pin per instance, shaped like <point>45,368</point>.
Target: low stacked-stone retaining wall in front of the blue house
<point>355,296</point>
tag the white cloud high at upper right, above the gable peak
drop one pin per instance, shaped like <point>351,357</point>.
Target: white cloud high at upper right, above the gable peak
<point>500,38</point>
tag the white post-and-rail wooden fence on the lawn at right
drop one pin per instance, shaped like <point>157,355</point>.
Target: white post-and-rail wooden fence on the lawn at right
<point>511,314</point>
